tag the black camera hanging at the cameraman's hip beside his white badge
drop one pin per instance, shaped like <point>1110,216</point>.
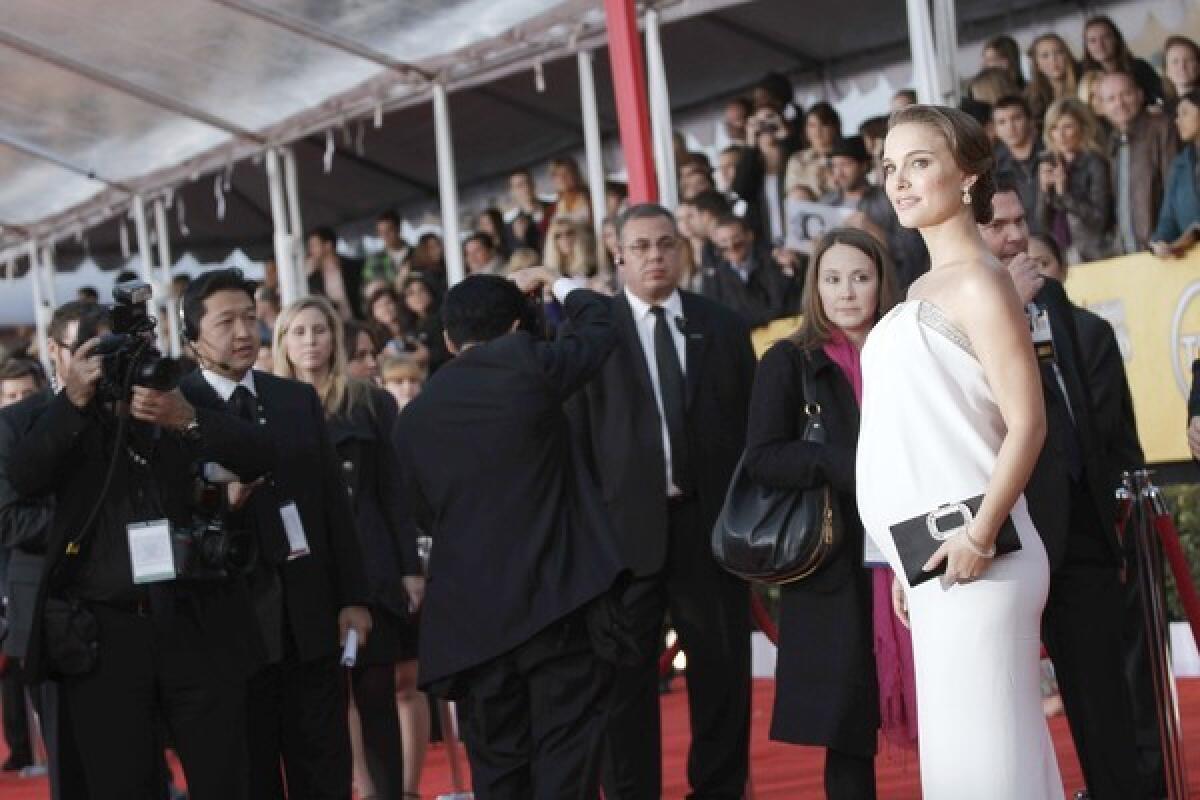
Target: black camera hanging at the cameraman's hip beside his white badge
<point>206,549</point>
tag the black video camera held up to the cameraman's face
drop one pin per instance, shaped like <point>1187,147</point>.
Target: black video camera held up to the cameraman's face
<point>130,357</point>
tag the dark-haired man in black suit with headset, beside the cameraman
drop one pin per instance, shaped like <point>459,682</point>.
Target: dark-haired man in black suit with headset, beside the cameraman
<point>309,585</point>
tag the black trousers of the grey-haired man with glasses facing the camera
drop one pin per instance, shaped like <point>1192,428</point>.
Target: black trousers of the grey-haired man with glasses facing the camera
<point>711,612</point>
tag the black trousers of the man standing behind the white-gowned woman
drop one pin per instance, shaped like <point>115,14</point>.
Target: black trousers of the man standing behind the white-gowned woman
<point>1083,629</point>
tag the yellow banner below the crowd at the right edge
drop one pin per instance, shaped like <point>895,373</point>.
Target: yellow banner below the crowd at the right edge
<point>1155,309</point>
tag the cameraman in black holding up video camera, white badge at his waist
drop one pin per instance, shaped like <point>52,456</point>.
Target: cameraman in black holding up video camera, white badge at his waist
<point>140,616</point>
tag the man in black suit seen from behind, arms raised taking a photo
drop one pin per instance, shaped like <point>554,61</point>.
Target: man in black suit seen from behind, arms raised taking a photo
<point>521,545</point>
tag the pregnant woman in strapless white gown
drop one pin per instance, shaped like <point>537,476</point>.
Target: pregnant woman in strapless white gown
<point>952,410</point>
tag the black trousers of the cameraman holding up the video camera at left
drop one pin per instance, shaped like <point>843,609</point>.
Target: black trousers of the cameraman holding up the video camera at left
<point>145,677</point>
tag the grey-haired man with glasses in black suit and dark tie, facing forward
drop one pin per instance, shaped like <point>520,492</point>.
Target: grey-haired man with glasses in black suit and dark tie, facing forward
<point>663,426</point>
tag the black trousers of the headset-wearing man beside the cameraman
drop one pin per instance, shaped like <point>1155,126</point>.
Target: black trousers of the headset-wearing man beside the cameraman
<point>297,721</point>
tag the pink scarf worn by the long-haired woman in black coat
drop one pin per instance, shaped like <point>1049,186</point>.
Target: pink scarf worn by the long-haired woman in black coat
<point>893,643</point>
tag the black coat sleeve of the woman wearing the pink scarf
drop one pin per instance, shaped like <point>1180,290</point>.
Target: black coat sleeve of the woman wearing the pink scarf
<point>776,454</point>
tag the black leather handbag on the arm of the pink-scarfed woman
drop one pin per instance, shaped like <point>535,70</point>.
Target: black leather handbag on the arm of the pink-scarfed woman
<point>779,536</point>
